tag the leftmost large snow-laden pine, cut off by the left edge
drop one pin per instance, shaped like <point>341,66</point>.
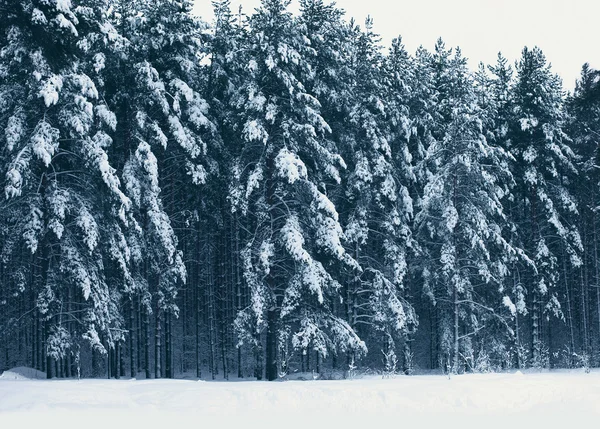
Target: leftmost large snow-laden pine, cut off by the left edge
<point>64,204</point>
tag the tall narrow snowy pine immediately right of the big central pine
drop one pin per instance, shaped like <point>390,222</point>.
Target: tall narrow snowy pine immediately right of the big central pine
<point>378,203</point>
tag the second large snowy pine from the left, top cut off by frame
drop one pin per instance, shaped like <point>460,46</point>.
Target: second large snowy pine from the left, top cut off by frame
<point>163,131</point>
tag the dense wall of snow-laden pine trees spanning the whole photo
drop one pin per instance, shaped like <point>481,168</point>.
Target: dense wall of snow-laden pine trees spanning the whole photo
<point>279,193</point>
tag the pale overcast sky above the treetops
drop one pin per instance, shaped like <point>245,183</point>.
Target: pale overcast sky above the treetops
<point>568,31</point>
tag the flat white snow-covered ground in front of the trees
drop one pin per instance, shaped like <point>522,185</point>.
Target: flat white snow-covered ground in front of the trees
<point>540,400</point>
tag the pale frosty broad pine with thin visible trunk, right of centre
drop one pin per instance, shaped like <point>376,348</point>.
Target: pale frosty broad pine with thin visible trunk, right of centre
<point>460,217</point>
